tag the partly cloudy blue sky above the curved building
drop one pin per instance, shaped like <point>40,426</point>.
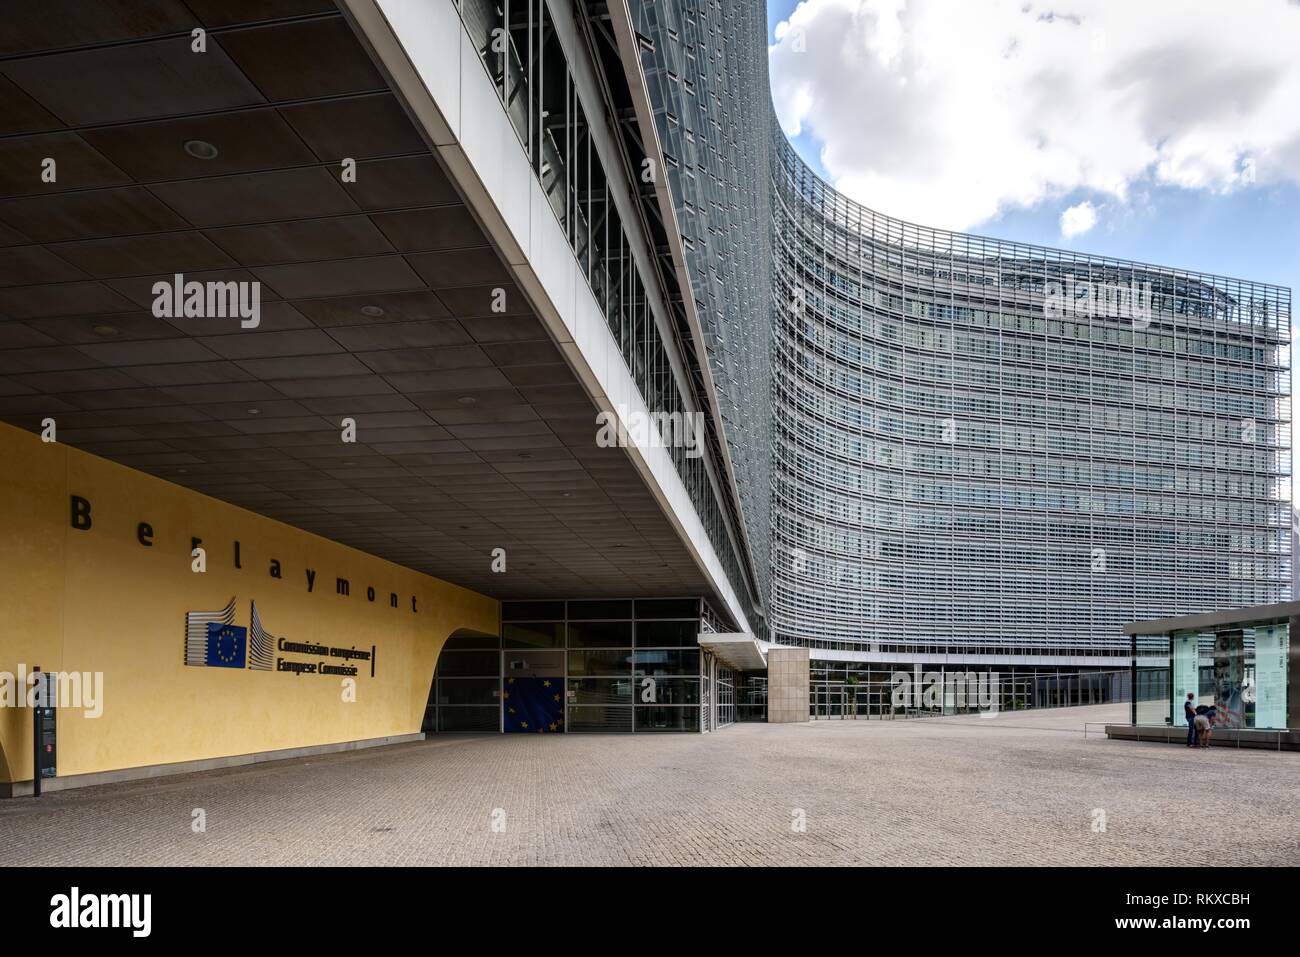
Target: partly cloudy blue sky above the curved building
<point>1160,163</point>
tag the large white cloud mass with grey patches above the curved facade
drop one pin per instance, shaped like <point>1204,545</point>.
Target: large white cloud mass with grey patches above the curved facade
<point>948,112</point>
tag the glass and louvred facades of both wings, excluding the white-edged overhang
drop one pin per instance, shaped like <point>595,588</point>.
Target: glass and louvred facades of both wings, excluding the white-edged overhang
<point>922,445</point>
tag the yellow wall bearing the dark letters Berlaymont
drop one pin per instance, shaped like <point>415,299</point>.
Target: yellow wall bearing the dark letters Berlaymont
<point>99,601</point>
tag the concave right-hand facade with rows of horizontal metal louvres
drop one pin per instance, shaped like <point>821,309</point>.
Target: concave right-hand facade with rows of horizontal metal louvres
<point>983,445</point>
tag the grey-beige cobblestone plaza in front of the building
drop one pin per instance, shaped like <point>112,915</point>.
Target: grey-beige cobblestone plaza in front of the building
<point>1019,789</point>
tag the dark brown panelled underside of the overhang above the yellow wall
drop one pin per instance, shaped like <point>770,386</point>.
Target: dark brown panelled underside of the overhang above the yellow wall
<point>474,434</point>
